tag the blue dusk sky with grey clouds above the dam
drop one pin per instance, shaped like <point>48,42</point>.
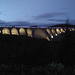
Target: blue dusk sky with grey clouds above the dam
<point>37,11</point>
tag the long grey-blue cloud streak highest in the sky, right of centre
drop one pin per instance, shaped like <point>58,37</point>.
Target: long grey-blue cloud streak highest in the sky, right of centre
<point>48,15</point>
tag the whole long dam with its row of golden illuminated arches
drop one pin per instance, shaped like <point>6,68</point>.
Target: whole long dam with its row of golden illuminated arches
<point>43,33</point>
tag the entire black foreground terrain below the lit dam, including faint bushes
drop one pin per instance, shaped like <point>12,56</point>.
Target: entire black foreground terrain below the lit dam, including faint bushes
<point>22,55</point>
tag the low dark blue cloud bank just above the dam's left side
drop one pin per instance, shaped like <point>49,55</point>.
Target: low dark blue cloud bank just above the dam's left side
<point>23,23</point>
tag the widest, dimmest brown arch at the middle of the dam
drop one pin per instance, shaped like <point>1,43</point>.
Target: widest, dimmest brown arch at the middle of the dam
<point>39,33</point>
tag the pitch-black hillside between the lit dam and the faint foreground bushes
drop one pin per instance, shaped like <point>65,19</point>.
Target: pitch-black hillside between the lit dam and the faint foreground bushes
<point>32,51</point>
